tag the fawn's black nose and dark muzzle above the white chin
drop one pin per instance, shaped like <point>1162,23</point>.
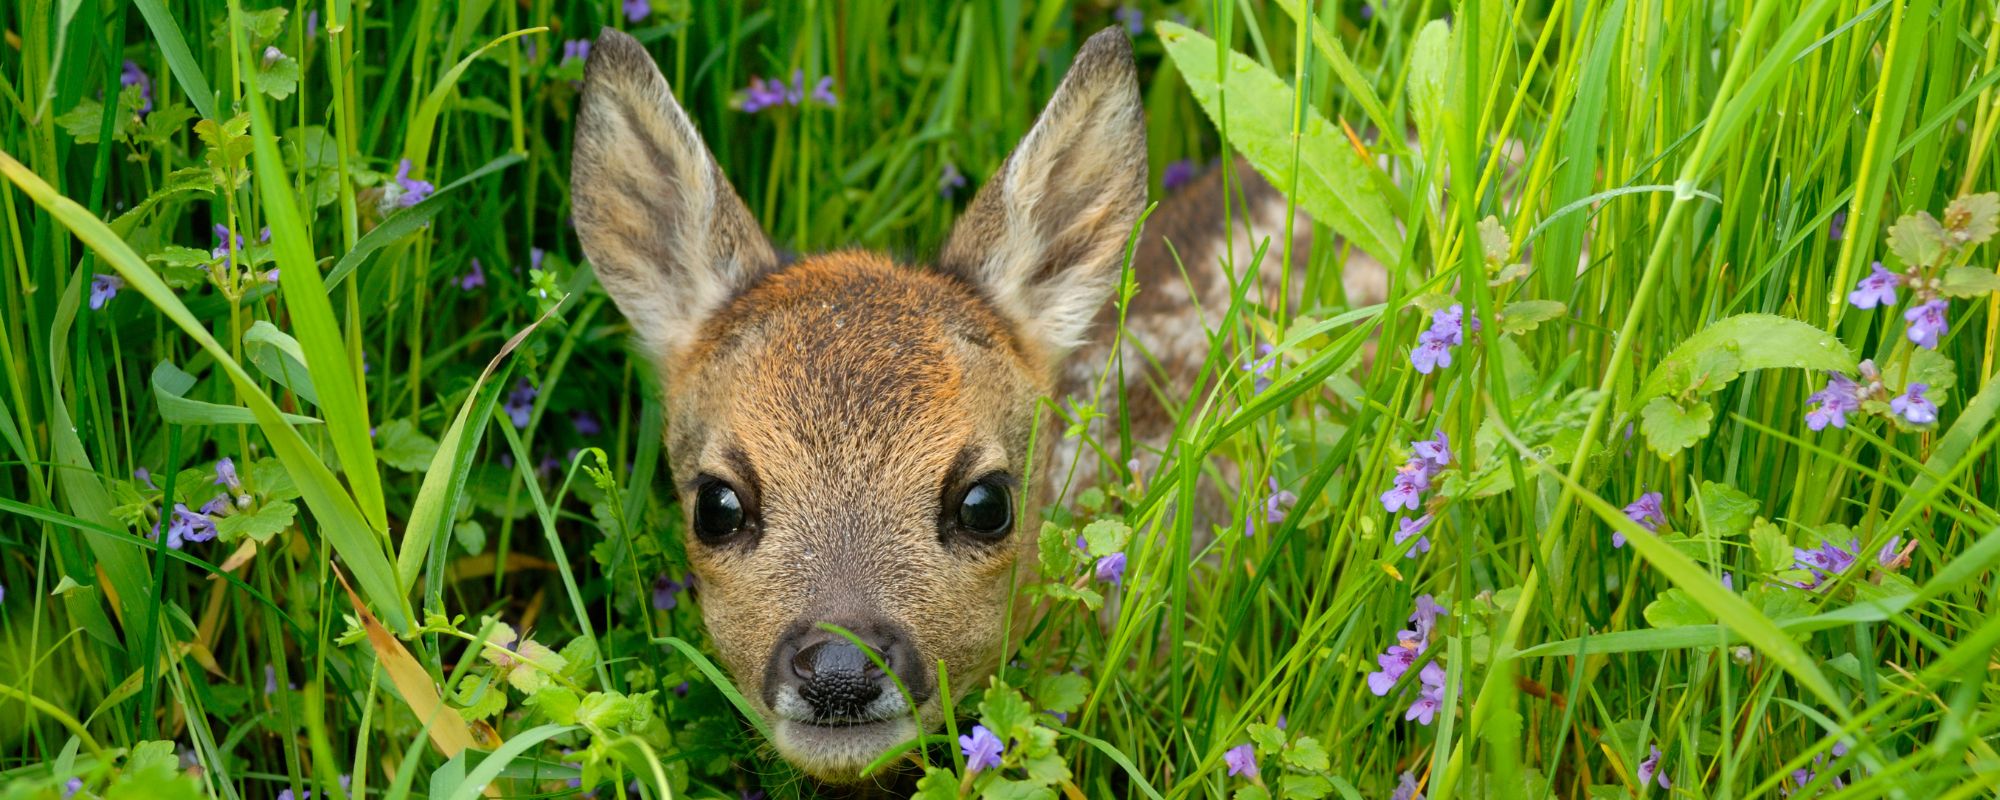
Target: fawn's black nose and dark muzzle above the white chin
<point>827,679</point>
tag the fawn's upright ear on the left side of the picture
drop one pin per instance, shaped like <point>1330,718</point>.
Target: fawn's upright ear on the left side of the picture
<point>663,227</point>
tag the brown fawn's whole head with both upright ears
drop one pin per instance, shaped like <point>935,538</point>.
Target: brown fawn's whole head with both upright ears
<point>851,437</point>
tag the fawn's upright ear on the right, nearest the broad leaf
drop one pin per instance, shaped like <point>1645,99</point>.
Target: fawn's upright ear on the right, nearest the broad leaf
<point>1045,239</point>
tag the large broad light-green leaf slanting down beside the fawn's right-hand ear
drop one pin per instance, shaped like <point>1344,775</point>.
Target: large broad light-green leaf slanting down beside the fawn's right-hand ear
<point>1319,169</point>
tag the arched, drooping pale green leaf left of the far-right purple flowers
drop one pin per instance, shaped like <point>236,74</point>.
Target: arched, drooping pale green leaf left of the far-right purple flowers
<point>1757,341</point>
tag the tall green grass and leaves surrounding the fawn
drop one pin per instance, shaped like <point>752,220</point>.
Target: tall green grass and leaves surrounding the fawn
<point>1707,163</point>
